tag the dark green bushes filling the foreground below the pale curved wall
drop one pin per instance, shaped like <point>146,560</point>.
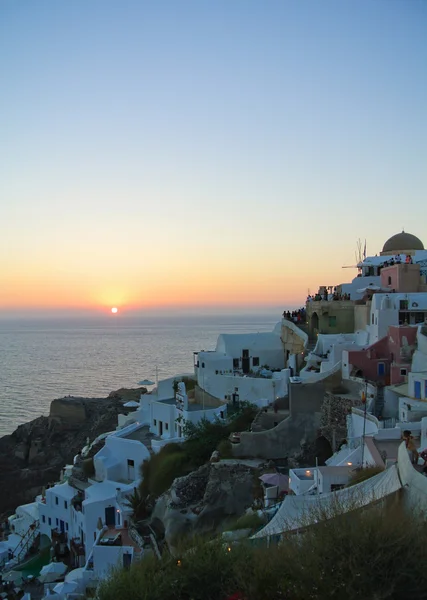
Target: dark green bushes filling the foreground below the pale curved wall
<point>376,554</point>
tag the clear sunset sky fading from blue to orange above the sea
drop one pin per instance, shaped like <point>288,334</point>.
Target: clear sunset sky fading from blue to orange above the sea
<point>191,154</point>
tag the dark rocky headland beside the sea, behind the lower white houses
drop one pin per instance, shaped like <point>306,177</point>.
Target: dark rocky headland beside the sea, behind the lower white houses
<point>34,454</point>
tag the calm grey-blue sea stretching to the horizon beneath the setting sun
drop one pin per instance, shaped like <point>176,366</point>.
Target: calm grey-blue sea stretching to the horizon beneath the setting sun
<point>44,359</point>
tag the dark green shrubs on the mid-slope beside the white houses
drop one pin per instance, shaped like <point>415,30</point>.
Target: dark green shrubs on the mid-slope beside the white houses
<point>176,460</point>
